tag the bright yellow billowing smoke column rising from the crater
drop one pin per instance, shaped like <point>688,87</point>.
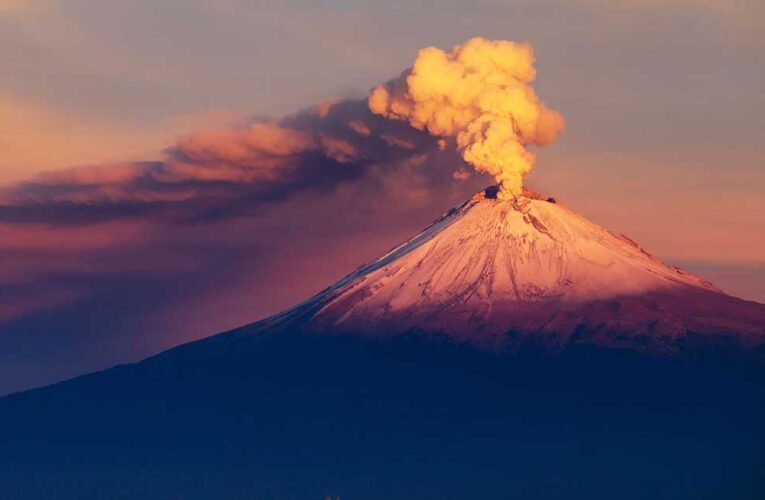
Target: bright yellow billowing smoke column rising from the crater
<point>479,94</point>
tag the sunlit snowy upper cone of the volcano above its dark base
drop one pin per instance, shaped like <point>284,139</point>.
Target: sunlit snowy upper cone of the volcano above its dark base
<point>531,270</point>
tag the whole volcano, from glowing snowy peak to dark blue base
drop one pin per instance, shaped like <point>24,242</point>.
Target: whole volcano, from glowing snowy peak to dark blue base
<point>512,349</point>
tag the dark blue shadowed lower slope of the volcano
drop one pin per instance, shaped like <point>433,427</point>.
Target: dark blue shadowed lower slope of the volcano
<point>301,416</point>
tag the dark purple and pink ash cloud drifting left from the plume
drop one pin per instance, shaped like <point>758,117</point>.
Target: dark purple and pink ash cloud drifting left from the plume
<point>230,171</point>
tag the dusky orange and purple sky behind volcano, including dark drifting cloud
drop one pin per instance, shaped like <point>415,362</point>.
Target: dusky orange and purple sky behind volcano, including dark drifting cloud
<point>132,218</point>
